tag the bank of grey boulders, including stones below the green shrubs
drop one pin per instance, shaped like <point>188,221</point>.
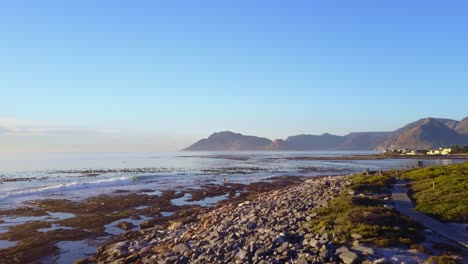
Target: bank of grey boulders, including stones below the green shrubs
<point>265,227</point>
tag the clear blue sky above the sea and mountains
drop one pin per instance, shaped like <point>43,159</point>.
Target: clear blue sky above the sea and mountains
<point>157,75</point>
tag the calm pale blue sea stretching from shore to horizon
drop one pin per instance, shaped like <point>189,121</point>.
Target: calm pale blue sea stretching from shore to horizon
<point>80,175</point>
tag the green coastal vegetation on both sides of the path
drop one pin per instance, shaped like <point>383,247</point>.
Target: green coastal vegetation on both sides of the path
<point>363,211</point>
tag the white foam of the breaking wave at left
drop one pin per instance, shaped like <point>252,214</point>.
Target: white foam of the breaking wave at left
<point>68,187</point>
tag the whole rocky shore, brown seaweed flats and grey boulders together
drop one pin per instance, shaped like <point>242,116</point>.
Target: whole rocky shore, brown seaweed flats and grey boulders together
<point>262,222</point>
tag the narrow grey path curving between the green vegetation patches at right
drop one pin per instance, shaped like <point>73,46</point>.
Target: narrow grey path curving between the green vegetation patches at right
<point>404,205</point>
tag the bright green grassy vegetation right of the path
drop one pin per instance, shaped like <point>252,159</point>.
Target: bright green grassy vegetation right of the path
<point>441,191</point>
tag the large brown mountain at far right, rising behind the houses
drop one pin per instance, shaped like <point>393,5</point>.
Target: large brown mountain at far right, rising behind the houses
<point>425,134</point>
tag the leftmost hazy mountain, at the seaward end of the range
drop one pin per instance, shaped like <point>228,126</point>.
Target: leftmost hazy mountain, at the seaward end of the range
<point>227,140</point>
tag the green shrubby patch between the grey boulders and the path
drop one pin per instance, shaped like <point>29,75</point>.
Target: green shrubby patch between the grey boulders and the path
<point>361,214</point>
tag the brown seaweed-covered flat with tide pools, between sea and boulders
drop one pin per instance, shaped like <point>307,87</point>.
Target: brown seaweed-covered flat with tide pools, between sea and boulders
<point>47,223</point>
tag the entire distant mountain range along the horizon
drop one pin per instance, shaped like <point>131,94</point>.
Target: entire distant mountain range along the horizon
<point>423,134</point>
